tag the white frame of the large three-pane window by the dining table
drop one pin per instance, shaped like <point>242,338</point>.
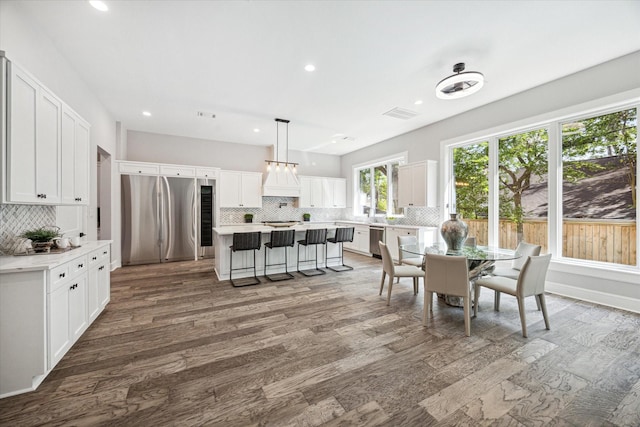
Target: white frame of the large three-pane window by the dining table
<point>551,121</point>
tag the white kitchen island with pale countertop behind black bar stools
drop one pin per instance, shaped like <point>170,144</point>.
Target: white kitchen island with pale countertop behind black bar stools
<point>224,239</point>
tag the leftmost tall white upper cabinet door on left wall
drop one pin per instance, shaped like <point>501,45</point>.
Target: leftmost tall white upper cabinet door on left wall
<point>21,147</point>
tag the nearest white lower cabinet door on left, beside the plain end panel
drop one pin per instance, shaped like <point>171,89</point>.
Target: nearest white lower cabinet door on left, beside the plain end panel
<point>59,331</point>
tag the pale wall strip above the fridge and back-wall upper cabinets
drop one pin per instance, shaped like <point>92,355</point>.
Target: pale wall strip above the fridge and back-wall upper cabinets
<point>159,148</point>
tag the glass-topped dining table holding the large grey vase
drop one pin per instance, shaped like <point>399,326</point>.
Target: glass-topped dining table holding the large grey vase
<point>480,260</point>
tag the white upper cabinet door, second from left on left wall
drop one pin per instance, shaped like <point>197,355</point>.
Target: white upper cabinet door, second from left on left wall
<point>48,133</point>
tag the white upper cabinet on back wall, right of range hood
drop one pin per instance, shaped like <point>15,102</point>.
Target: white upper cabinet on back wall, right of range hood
<point>321,192</point>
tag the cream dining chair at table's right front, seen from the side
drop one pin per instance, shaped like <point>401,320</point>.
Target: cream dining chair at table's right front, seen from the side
<point>530,282</point>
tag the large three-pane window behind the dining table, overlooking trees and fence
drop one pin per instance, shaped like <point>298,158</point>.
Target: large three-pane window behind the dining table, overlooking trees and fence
<point>569,186</point>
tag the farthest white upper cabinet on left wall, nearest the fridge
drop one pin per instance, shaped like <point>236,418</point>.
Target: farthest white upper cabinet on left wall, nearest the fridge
<point>75,159</point>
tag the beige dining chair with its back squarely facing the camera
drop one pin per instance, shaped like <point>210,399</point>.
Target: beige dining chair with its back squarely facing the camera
<point>447,275</point>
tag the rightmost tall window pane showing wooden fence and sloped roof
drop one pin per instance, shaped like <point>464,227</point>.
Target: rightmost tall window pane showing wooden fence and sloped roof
<point>599,188</point>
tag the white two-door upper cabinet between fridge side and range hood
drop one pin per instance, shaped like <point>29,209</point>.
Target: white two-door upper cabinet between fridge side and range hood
<point>240,189</point>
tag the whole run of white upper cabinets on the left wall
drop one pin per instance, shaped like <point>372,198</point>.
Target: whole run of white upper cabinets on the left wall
<point>46,152</point>
